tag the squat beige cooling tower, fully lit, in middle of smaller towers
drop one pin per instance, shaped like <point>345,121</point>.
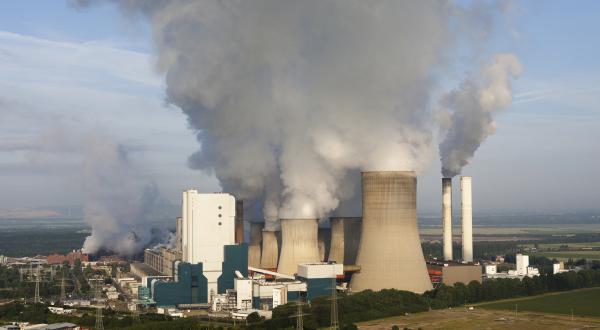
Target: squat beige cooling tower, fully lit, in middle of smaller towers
<point>298,244</point>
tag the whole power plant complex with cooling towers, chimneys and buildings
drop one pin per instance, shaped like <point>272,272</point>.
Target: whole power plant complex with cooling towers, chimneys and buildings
<point>208,266</point>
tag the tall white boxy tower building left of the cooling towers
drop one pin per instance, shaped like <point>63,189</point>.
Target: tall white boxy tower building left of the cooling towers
<point>208,224</point>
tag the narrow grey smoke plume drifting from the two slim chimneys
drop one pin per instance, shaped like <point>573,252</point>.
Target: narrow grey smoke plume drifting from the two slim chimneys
<point>473,107</point>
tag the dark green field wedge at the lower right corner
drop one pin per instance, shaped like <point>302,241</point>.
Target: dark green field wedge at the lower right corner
<point>582,302</point>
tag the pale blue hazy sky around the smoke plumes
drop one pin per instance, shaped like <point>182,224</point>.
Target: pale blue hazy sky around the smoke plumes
<point>67,73</point>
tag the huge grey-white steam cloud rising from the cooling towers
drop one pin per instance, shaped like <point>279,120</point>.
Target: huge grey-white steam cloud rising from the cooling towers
<point>289,96</point>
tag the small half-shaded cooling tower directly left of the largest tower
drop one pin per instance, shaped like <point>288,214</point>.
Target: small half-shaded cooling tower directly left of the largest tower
<point>345,236</point>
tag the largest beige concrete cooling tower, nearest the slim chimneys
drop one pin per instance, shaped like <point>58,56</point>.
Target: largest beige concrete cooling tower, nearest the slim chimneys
<point>390,254</point>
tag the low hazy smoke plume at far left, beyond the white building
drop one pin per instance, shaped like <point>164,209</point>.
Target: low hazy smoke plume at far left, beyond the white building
<point>117,202</point>
